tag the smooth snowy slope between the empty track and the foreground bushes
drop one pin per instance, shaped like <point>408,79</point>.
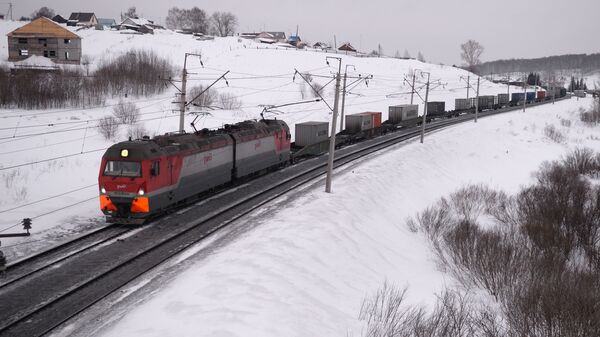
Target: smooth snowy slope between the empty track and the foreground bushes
<point>302,266</point>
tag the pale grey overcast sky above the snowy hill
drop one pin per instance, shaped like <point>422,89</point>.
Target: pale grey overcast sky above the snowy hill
<point>506,28</point>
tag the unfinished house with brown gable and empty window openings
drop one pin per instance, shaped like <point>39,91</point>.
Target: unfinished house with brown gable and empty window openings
<point>44,37</point>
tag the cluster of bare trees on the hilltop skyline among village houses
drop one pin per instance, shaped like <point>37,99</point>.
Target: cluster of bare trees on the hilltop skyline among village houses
<point>196,20</point>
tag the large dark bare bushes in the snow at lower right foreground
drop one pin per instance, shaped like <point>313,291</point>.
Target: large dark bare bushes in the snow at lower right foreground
<point>538,256</point>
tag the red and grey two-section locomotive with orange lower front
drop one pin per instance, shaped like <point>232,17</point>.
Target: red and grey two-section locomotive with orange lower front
<point>144,177</point>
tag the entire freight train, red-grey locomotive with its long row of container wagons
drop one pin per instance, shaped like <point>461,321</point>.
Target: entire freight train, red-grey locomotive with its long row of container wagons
<point>142,178</point>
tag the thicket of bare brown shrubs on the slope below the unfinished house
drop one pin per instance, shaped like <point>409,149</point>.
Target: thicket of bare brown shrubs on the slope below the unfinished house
<point>137,73</point>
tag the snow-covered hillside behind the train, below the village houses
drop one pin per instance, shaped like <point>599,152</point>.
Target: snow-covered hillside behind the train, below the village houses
<point>61,195</point>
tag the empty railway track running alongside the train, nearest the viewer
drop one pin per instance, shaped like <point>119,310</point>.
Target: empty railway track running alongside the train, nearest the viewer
<point>35,306</point>
